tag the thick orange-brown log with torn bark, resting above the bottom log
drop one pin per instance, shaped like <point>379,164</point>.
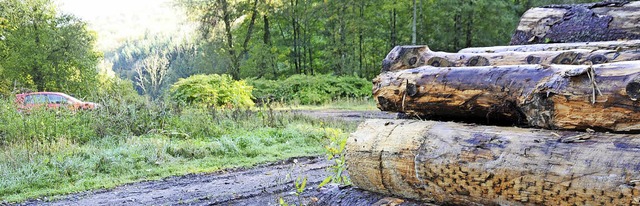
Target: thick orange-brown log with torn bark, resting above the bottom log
<point>601,97</point>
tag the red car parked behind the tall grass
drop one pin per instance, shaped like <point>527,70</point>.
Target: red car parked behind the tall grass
<point>51,100</point>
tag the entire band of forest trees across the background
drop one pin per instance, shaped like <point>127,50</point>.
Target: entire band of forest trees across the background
<point>43,49</point>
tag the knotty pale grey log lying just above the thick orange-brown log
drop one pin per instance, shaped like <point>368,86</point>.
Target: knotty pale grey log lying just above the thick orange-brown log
<point>407,57</point>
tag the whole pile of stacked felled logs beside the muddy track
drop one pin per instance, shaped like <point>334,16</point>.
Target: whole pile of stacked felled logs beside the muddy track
<point>566,97</point>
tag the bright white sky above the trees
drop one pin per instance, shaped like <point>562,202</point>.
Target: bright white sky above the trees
<point>118,20</point>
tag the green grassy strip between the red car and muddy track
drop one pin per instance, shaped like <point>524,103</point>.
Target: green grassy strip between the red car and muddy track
<point>48,153</point>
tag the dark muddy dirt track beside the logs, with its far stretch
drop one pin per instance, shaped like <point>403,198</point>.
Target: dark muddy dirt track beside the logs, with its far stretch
<point>261,185</point>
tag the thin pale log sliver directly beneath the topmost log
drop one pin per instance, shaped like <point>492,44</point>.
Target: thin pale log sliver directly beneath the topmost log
<point>602,45</point>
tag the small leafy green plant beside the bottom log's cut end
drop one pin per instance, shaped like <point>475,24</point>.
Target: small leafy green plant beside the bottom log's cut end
<point>336,151</point>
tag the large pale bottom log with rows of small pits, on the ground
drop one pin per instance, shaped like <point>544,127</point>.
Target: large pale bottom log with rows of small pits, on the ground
<point>453,163</point>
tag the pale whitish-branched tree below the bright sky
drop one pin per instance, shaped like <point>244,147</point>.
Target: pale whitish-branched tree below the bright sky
<point>154,62</point>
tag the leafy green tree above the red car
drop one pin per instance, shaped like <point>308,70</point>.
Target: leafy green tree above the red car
<point>41,49</point>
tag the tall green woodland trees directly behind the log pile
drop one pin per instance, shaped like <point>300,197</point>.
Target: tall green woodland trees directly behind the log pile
<point>344,37</point>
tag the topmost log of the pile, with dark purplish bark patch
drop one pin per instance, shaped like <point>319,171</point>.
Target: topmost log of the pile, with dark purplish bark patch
<point>579,23</point>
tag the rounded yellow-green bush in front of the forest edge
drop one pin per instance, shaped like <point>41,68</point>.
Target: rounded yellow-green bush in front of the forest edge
<point>218,91</point>
